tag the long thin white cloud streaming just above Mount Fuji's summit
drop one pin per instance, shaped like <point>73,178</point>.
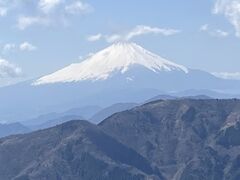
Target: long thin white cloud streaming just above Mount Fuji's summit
<point>139,30</point>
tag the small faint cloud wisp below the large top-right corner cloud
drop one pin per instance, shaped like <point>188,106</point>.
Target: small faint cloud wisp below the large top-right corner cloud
<point>214,32</point>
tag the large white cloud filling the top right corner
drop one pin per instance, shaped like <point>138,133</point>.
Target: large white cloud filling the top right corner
<point>231,10</point>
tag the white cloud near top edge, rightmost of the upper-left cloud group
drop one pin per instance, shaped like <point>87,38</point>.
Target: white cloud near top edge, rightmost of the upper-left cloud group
<point>78,7</point>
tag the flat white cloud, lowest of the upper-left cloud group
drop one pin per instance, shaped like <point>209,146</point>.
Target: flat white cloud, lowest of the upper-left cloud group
<point>27,21</point>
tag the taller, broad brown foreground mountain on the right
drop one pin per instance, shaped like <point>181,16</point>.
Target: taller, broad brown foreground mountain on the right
<point>186,139</point>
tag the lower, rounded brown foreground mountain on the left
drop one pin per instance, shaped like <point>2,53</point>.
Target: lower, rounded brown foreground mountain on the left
<point>71,151</point>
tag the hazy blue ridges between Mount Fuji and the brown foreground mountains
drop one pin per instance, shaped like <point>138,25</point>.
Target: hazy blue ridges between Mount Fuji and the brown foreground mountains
<point>93,114</point>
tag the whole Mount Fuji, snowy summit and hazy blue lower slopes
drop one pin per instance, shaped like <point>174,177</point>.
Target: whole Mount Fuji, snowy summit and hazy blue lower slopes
<point>123,72</point>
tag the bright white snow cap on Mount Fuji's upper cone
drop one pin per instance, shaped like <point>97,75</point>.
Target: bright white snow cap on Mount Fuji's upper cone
<point>119,57</point>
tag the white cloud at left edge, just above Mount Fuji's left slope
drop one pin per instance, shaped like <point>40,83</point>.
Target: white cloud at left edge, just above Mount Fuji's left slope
<point>8,70</point>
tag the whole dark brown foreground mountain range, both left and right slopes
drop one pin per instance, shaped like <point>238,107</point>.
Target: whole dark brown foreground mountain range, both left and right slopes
<point>161,140</point>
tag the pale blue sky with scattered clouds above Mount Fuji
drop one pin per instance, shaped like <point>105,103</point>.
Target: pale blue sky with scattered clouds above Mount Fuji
<point>38,37</point>
